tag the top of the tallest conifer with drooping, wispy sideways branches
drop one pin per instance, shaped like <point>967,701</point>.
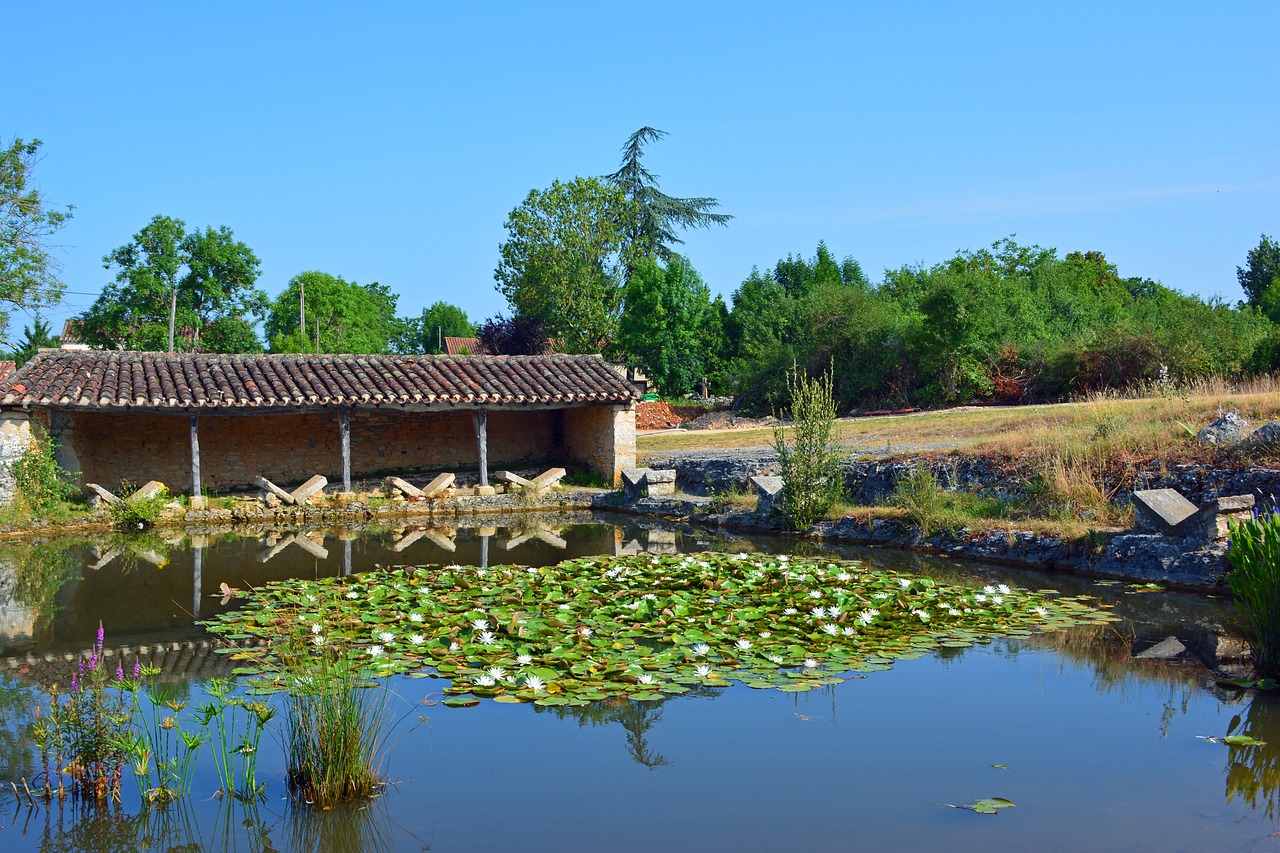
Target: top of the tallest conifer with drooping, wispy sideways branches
<point>656,217</point>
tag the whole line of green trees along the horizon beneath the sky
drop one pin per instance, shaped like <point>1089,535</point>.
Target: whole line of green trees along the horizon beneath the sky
<point>593,266</point>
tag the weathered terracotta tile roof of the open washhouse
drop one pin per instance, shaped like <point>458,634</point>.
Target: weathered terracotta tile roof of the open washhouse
<point>111,380</point>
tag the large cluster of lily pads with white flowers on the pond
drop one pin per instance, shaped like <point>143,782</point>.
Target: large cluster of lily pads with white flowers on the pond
<point>636,627</point>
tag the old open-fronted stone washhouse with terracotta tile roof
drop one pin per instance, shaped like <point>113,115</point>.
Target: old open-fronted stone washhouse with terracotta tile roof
<point>205,423</point>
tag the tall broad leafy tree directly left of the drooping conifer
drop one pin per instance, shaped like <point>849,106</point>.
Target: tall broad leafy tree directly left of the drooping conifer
<point>563,266</point>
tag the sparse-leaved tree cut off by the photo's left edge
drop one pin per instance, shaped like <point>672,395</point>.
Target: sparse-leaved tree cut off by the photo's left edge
<point>29,272</point>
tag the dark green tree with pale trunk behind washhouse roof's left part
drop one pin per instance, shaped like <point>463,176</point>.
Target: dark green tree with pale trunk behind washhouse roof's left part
<point>202,281</point>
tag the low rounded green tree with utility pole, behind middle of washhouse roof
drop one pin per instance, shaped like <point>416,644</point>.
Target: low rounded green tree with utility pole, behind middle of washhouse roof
<point>353,318</point>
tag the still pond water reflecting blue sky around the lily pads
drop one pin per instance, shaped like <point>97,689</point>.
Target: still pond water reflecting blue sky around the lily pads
<point>1096,750</point>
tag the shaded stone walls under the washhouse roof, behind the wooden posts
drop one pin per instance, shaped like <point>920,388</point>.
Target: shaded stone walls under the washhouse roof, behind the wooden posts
<point>289,449</point>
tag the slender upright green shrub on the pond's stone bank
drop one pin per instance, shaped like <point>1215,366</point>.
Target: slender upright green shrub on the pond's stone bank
<point>808,463</point>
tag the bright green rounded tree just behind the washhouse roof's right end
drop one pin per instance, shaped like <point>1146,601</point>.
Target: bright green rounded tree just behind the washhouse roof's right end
<point>661,329</point>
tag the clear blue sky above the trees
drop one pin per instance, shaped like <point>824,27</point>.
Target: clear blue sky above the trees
<point>390,143</point>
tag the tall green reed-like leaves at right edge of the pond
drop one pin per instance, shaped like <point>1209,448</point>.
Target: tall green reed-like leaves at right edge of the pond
<point>1255,558</point>
